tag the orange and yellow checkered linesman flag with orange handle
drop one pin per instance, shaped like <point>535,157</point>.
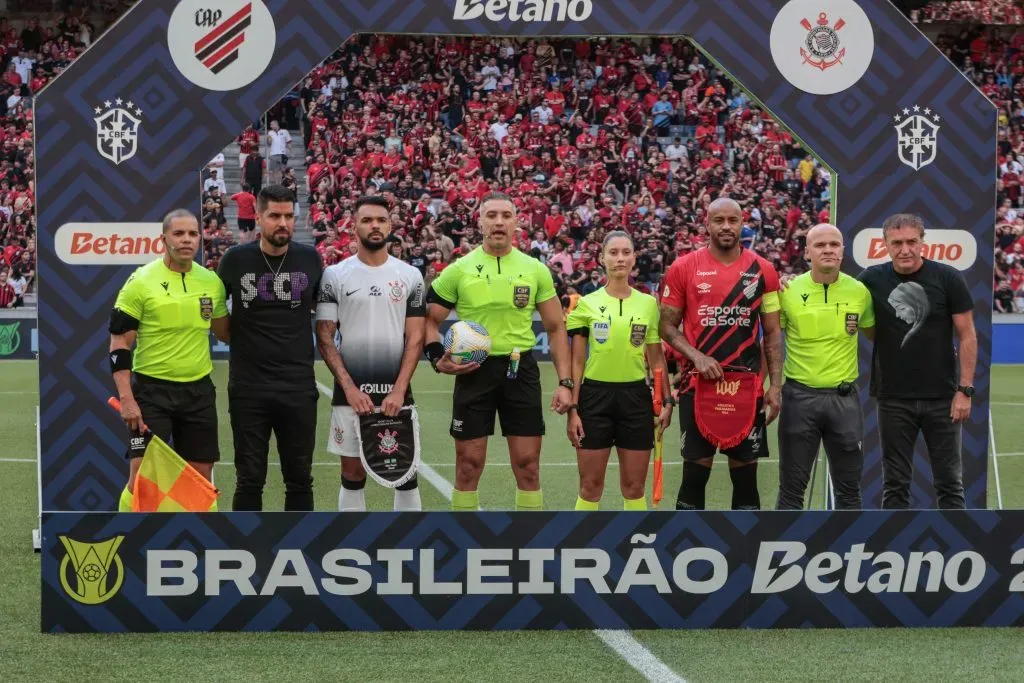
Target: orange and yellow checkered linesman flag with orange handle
<point>167,484</point>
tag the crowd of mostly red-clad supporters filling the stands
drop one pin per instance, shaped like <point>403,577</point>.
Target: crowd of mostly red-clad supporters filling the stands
<point>586,137</point>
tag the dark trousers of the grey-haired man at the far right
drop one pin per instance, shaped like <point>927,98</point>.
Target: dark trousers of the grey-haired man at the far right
<point>901,420</point>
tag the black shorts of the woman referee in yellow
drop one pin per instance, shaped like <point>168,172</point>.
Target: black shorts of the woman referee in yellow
<point>620,414</point>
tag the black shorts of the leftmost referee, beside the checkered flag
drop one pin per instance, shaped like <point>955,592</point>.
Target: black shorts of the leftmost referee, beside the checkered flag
<point>183,414</point>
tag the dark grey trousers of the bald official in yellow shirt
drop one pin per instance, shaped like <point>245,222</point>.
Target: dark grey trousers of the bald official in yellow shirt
<point>810,416</point>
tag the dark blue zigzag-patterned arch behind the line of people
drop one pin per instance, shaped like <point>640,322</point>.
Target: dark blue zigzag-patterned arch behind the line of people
<point>185,125</point>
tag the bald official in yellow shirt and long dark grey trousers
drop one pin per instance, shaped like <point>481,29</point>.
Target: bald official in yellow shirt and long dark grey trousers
<point>823,313</point>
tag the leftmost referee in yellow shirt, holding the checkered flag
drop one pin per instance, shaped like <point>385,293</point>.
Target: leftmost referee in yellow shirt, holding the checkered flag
<point>166,310</point>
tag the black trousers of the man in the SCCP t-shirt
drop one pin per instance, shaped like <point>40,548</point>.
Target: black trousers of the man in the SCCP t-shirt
<point>292,418</point>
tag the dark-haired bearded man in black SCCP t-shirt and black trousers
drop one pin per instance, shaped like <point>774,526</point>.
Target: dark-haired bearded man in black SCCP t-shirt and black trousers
<point>274,285</point>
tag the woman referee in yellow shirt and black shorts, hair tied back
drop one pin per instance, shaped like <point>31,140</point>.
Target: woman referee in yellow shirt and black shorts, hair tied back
<point>613,405</point>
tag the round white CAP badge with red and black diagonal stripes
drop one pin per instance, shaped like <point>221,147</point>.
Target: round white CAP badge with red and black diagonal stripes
<point>222,46</point>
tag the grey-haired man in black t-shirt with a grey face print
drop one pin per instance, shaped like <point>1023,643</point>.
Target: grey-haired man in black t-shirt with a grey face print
<point>916,377</point>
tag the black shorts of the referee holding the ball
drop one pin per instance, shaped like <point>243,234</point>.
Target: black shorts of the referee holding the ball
<point>486,392</point>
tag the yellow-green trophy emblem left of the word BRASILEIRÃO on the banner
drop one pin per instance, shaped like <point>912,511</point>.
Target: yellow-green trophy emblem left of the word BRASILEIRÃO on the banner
<point>92,573</point>
